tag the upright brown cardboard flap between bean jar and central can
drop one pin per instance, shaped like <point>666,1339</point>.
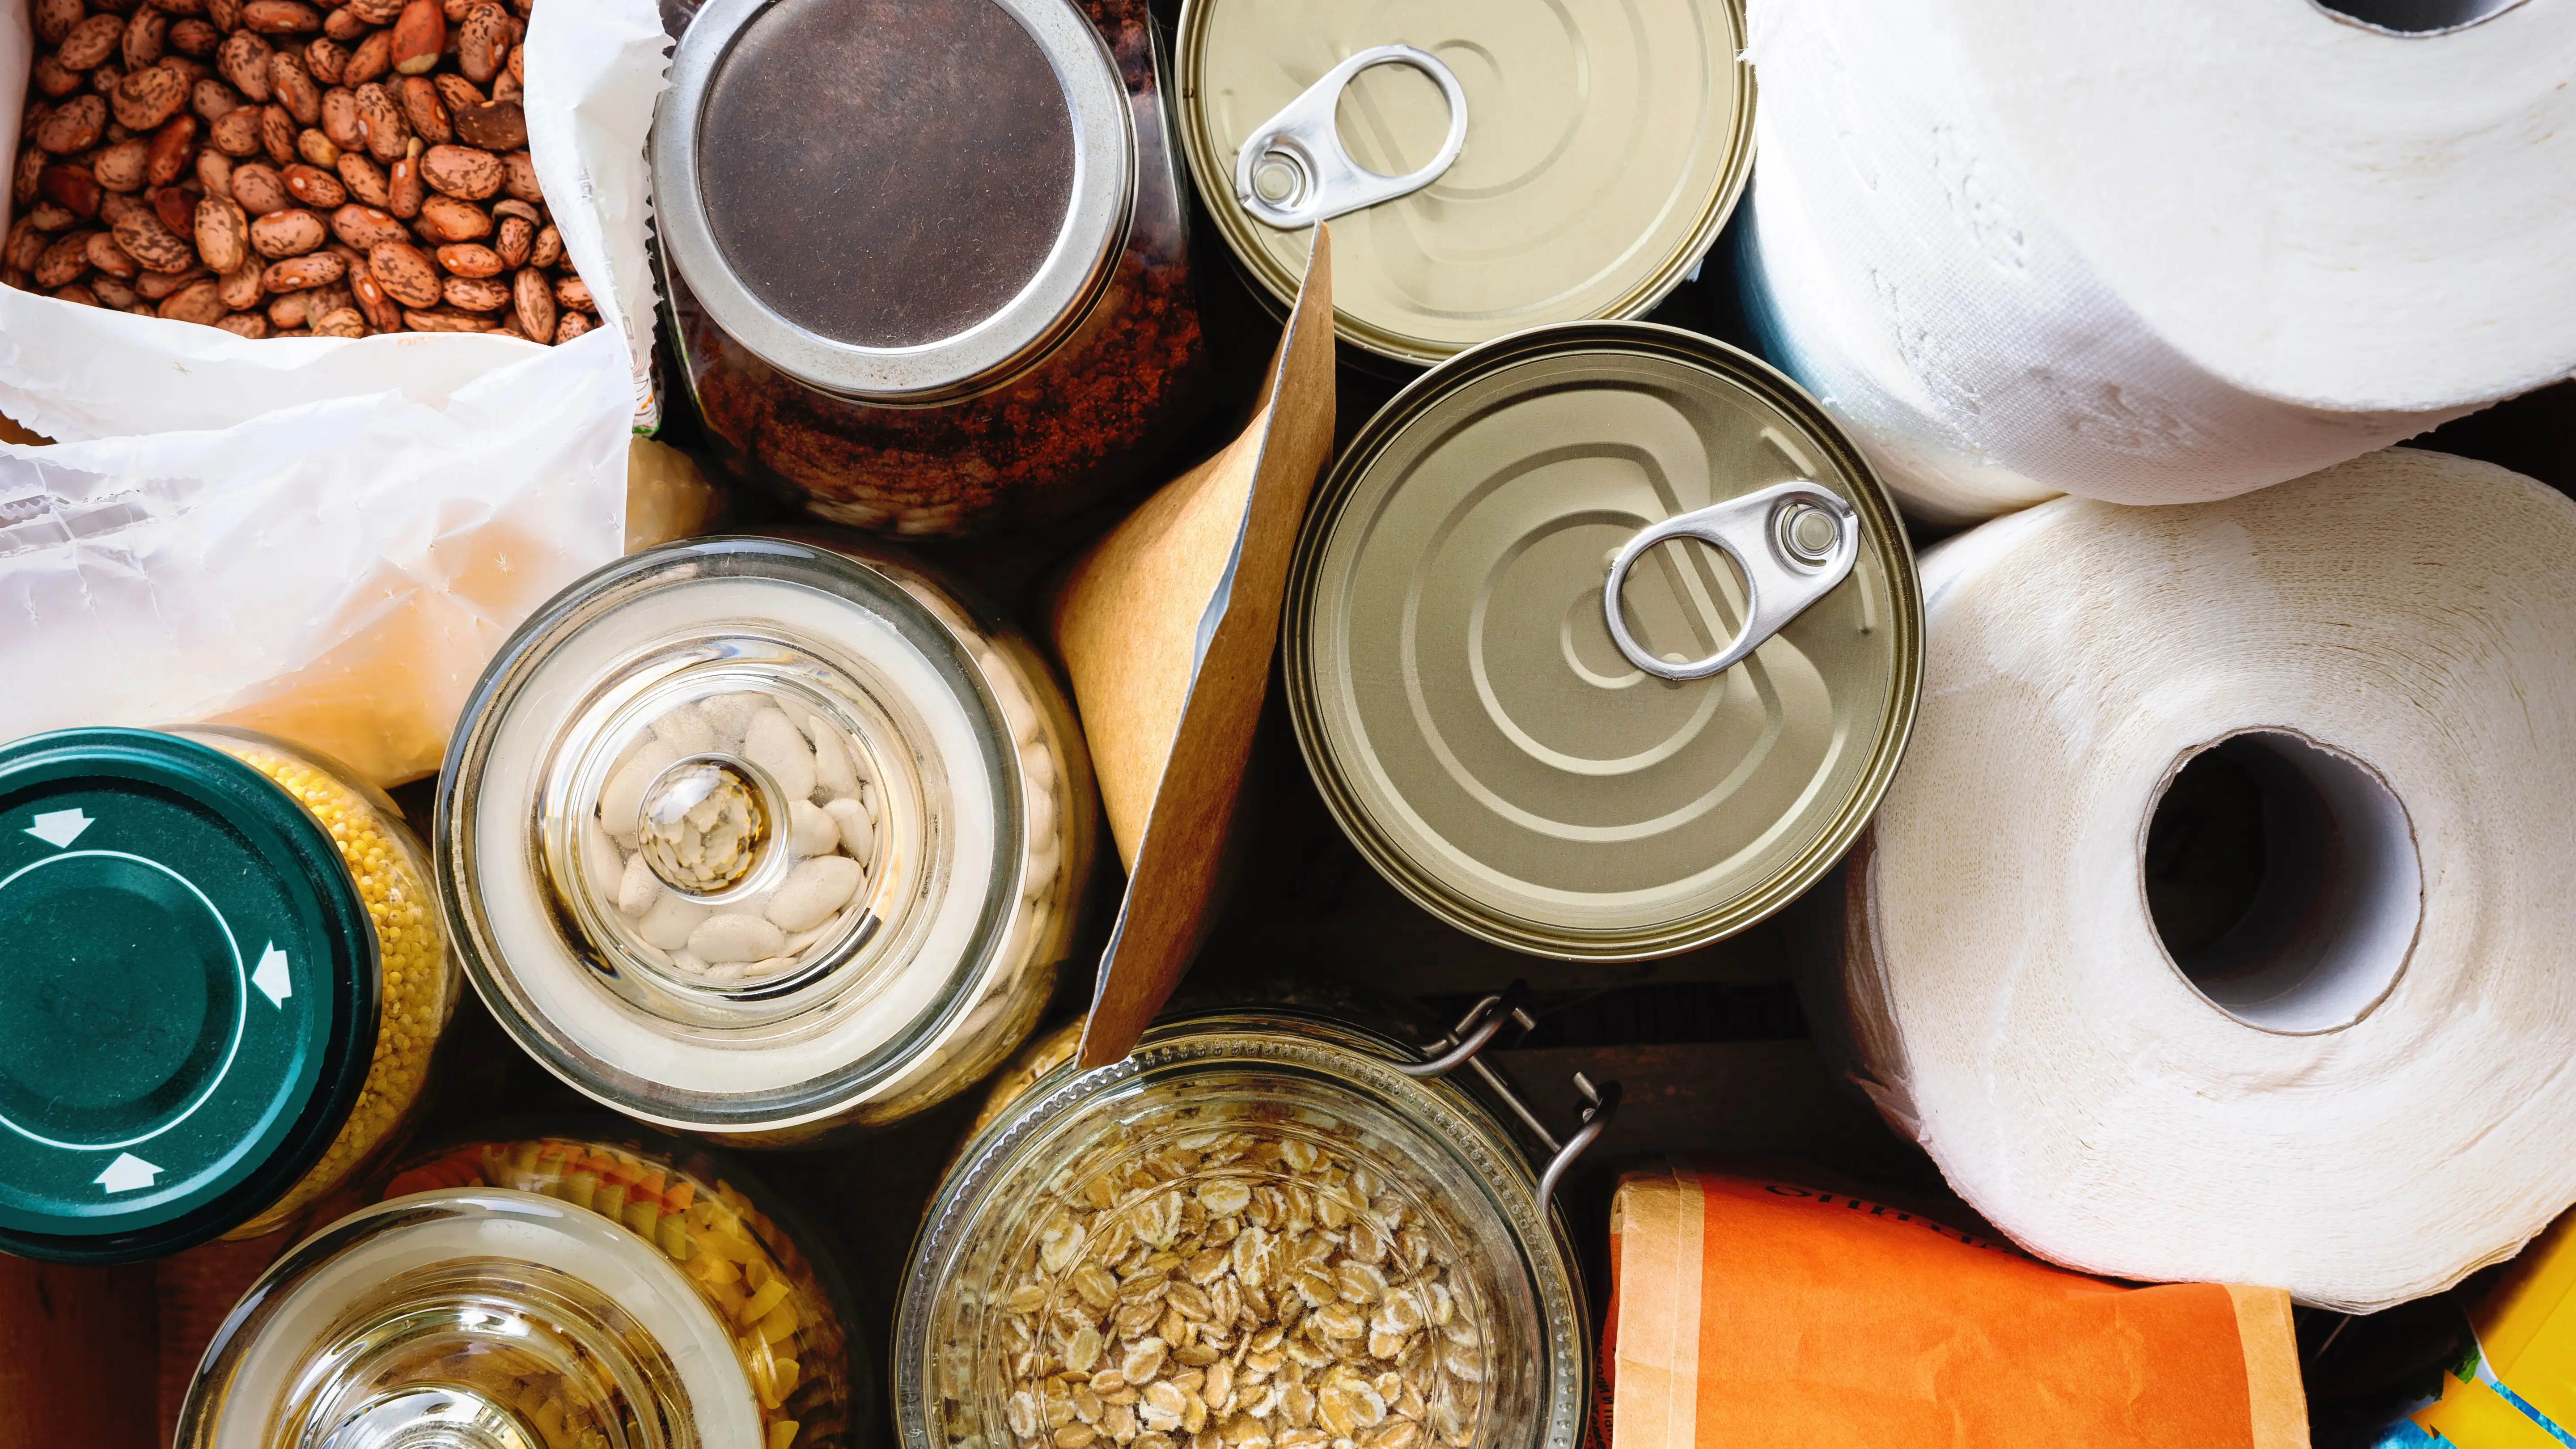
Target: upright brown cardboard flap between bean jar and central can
<point>1109,615</point>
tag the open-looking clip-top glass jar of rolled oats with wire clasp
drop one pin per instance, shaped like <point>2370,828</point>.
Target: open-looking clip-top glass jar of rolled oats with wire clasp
<point>1261,1231</point>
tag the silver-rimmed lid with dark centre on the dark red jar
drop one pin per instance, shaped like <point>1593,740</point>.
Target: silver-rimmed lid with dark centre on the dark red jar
<point>895,205</point>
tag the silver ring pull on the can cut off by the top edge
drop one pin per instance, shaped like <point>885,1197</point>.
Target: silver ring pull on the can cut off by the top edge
<point>1294,171</point>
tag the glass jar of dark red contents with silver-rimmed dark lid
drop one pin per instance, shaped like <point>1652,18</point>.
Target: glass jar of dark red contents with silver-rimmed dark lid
<point>929,264</point>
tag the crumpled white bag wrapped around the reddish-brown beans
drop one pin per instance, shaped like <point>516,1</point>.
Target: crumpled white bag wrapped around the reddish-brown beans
<point>310,535</point>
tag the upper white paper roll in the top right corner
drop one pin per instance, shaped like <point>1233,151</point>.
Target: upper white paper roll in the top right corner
<point>2155,254</point>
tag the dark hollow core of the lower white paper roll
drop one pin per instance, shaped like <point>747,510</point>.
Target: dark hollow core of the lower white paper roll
<point>2284,880</point>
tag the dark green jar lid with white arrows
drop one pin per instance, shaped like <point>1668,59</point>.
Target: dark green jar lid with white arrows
<point>187,994</point>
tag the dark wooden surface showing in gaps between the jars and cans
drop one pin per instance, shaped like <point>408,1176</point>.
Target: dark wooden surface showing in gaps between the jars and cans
<point>1709,1045</point>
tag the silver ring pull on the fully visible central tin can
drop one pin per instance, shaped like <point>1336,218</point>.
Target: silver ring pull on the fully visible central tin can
<point>1794,545</point>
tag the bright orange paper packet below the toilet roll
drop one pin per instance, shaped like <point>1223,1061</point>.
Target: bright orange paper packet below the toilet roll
<point>1768,1314</point>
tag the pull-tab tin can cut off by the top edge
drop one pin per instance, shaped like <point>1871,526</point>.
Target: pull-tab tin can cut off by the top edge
<point>1485,166</point>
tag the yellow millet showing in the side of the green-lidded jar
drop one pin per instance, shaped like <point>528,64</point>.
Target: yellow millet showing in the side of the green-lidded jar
<point>419,973</point>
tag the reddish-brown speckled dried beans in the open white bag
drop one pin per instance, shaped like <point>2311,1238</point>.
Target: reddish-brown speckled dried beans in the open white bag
<point>290,169</point>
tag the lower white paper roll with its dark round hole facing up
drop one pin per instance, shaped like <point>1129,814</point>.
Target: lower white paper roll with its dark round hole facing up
<point>2356,1082</point>
